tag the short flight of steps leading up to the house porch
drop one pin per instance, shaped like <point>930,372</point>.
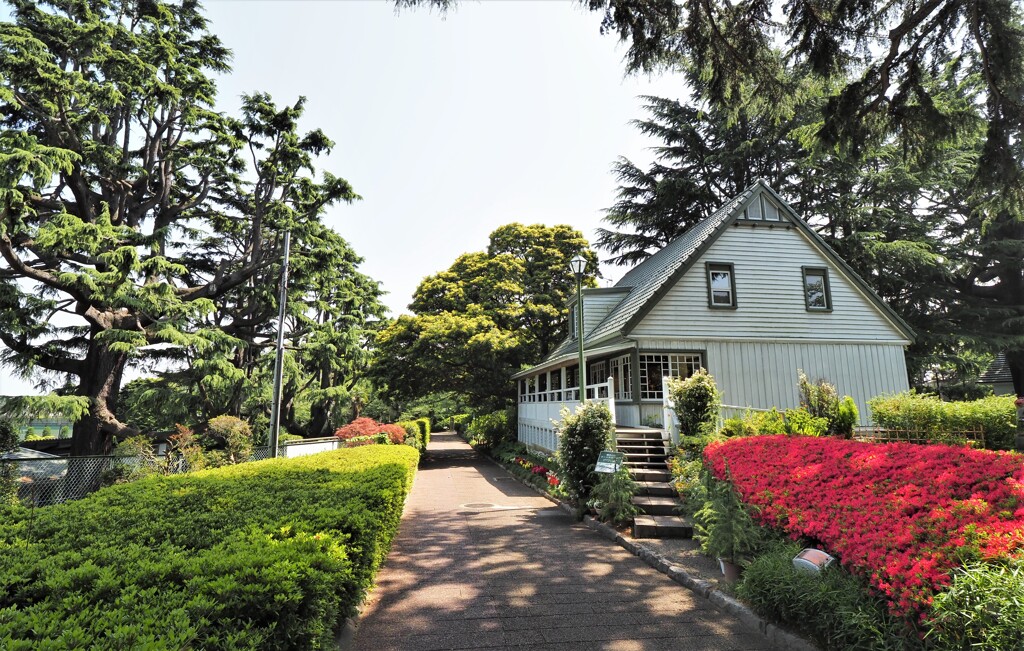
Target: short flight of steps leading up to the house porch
<point>647,454</point>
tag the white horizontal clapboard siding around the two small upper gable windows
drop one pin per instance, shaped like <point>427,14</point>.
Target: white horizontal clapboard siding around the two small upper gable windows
<point>770,295</point>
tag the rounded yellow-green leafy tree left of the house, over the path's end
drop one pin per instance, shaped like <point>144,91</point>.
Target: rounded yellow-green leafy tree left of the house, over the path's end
<point>485,318</point>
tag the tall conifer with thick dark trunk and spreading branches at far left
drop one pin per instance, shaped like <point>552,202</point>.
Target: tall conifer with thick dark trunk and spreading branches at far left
<point>130,209</point>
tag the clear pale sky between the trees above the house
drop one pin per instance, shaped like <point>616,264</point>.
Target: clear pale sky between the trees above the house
<point>449,127</point>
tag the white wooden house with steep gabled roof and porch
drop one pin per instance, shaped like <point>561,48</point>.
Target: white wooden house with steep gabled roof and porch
<point>752,294</point>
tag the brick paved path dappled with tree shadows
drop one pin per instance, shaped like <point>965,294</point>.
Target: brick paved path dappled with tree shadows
<point>483,562</point>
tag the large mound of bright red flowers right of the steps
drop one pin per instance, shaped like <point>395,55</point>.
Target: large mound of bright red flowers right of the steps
<point>901,514</point>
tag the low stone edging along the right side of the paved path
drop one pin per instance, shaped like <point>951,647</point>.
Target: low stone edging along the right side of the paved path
<point>777,636</point>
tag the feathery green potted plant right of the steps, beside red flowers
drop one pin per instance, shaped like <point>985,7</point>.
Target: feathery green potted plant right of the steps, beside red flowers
<point>726,529</point>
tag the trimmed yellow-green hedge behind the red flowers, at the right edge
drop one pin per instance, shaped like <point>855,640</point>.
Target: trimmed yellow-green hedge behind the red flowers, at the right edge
<point>909,411</point>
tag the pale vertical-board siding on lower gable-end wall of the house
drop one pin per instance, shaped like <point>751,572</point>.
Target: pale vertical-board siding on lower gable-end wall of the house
<point>763,374</point>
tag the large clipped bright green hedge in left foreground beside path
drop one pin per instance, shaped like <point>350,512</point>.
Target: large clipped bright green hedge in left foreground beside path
<point>267,555</point>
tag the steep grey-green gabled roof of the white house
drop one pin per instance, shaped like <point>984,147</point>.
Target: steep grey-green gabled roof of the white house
<point>650,282</point>
